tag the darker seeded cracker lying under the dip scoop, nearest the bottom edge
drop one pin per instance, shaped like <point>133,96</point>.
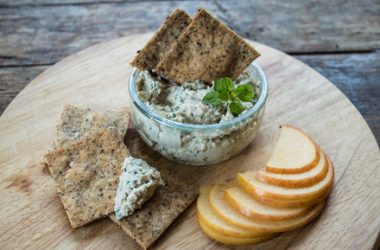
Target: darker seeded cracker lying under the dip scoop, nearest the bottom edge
<point>168,202</point>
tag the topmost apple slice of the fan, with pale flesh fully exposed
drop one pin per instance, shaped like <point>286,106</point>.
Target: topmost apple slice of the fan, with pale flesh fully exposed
<point>295,152</point>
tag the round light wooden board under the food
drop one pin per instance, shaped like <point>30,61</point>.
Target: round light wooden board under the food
<point>32,216</point>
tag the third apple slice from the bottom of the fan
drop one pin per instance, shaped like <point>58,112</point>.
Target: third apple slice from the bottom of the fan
<point>233,216</point>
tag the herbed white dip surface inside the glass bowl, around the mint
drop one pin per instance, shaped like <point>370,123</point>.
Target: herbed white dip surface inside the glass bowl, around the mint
<point>183,103</point>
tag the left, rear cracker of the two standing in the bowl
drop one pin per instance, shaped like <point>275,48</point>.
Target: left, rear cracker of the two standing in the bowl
<point>155,50</point>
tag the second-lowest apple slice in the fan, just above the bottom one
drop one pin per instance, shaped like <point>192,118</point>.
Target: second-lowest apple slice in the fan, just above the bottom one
<point>217,223</point>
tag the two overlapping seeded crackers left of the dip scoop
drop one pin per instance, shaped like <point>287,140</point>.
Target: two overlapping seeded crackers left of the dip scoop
<point>85,164</point>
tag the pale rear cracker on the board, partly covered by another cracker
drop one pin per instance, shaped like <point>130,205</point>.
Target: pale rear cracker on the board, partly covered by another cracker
<point>77,122</point>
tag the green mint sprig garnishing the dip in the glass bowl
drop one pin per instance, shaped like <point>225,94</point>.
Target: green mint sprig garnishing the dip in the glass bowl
<point>225,92</point>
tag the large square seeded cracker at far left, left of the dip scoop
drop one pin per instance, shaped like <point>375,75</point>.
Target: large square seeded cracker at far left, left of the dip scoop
<point>87,175</point>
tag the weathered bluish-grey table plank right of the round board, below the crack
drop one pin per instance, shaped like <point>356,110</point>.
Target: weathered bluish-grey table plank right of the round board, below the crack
<point>357,76</point>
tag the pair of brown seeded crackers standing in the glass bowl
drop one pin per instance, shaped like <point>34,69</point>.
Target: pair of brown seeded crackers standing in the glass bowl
<point>202,48</point>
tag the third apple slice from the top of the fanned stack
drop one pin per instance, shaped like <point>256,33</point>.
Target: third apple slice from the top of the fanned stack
<point>262,191</point>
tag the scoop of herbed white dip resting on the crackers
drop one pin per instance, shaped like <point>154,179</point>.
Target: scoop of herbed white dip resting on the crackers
<point>137,183</point>
